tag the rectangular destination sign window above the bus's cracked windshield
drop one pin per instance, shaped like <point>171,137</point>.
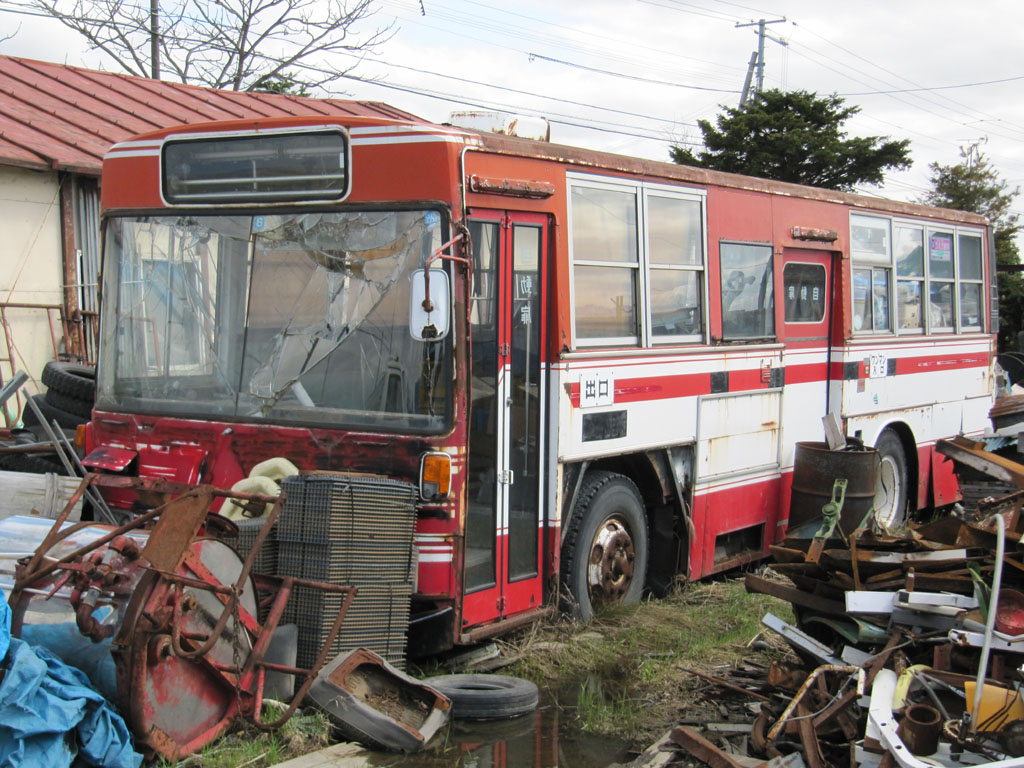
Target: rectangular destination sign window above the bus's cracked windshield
<point>267,168</point>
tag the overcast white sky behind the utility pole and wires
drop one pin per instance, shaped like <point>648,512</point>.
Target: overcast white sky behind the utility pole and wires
<point>641,73</point>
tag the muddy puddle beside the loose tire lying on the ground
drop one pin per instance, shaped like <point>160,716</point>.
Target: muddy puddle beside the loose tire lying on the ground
<point>546,739</point>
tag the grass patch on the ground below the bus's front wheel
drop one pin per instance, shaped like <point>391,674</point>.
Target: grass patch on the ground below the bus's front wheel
<point>625,674</point>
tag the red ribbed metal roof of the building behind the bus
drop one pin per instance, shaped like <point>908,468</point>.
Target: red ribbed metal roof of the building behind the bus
<point>66,118</point>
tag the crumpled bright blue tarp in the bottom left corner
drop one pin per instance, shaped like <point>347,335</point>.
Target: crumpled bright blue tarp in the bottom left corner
<point>51,714</point>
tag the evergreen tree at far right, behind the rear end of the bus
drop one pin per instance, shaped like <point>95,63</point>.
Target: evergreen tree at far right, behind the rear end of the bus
<point>974,186</point>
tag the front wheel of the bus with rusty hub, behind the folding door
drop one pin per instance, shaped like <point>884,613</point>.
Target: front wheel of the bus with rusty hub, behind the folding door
<point>605,557</point>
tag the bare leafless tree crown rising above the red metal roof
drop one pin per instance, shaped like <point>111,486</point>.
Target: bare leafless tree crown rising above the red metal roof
<point>232,45</point>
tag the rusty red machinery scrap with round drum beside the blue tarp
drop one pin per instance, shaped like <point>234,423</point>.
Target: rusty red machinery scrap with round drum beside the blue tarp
<point>181,631</point>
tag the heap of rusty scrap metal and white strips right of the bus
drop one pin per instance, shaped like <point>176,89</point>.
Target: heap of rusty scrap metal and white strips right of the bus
<point>911,646</point>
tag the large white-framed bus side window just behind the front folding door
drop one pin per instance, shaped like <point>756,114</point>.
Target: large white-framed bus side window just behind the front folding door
<point>638,263</point>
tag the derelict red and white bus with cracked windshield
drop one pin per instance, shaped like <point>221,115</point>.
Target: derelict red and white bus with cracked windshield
<point>595,368</point>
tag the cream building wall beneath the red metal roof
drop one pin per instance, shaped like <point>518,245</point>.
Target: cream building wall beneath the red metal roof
<point>31,270</point>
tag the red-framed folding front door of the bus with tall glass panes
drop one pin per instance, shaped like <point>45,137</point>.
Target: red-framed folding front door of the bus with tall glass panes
<point>502,568</point>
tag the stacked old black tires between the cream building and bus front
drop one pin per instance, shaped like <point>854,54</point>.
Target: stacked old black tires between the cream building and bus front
<point>71,390</point>
